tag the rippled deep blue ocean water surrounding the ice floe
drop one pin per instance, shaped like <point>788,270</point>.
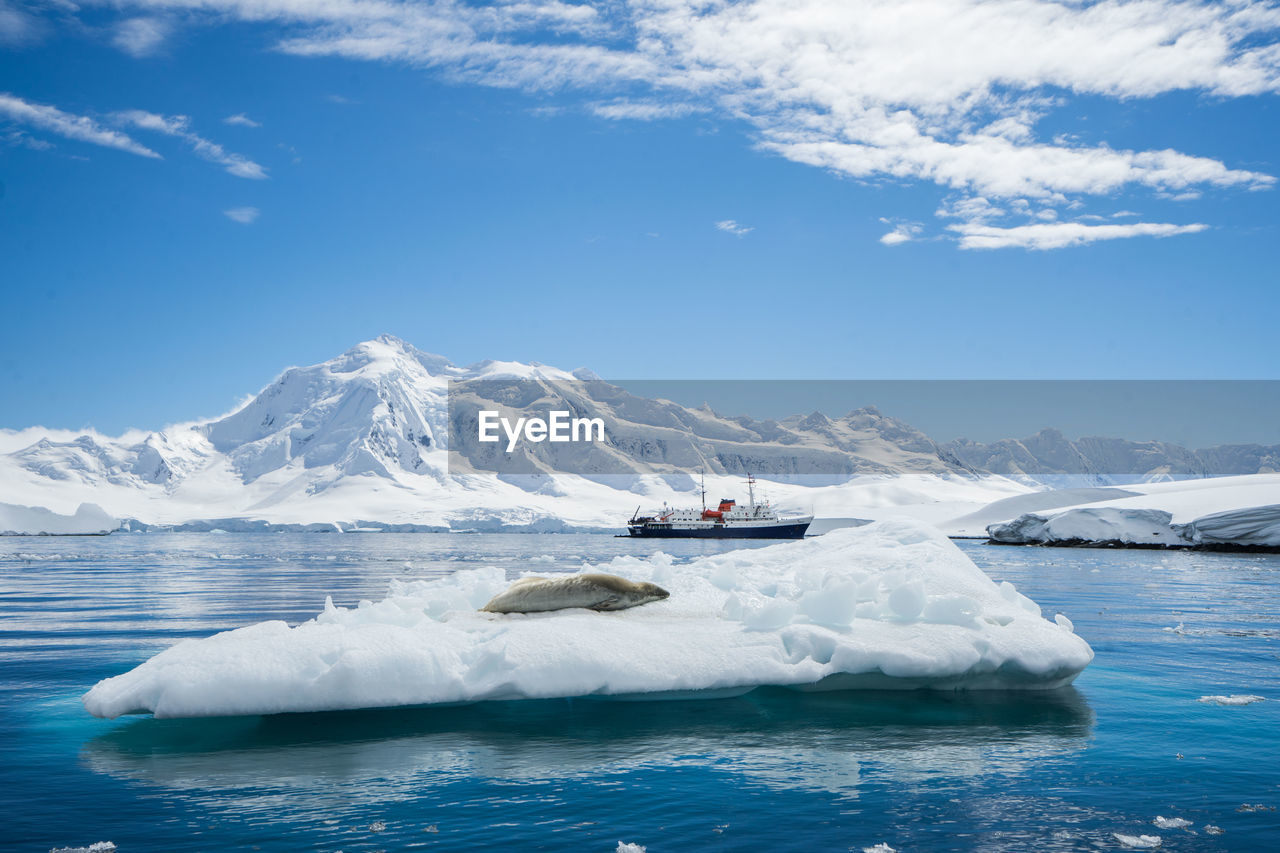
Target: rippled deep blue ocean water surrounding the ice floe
<point>775,770</point>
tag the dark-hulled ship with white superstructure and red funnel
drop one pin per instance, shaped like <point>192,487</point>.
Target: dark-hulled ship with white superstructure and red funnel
<point>728,522</point>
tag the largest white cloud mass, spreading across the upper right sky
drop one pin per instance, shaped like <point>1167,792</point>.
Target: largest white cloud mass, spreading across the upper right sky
<point>943,92</point>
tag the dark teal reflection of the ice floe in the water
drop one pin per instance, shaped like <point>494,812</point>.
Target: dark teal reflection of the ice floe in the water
<point>779,738</point>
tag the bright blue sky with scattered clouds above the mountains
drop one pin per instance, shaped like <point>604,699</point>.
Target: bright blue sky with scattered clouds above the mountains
<point>199,194</point>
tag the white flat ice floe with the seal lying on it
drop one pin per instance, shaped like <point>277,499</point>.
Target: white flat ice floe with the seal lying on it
<point>889,605</point>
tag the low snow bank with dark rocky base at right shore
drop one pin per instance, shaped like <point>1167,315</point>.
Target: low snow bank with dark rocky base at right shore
<point>1222,513</point>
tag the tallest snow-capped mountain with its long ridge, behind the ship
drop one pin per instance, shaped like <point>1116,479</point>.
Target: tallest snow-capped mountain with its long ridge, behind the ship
<point>364,441</point>
